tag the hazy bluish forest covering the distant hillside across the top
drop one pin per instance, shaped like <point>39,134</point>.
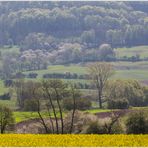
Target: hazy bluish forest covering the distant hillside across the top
<point>88,23</point>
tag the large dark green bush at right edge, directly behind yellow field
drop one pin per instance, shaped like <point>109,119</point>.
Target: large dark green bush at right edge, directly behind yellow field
<point>136,123</point>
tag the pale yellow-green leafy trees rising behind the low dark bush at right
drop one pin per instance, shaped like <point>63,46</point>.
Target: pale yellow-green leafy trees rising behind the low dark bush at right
<point>128,89</point>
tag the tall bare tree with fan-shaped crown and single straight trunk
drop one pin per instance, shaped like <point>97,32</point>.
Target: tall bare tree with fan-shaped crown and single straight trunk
<point>100,72</point>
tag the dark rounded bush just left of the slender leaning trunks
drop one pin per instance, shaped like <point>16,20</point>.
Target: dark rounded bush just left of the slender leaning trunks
<point>30,105</point>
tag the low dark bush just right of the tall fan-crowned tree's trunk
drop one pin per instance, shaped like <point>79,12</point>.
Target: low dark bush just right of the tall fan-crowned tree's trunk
<point>118,104</point>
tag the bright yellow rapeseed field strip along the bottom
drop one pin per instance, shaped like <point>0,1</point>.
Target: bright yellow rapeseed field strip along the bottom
<point>72,140</point>
